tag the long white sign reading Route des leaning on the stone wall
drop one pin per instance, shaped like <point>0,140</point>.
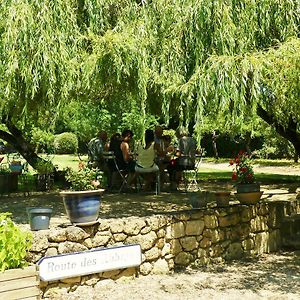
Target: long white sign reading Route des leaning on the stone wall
<point>89,262</point>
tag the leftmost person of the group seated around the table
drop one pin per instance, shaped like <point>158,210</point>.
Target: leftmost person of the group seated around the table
<point>96,146</point>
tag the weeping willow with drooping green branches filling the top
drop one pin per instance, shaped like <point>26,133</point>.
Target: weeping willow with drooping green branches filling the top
<point>188,59</point>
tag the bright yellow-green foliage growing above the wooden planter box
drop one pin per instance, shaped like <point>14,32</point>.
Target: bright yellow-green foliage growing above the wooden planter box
<point>14,243</point>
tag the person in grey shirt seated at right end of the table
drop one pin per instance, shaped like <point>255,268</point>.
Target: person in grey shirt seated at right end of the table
<point>185,160</point>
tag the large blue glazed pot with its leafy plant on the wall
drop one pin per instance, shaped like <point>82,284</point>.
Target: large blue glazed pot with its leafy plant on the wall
<point>82,201</point>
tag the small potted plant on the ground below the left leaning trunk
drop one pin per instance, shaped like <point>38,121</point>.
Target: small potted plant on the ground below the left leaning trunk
<point>44,176</point>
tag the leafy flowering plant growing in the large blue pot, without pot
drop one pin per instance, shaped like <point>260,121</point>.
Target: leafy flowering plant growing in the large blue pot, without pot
<point>84,179</point>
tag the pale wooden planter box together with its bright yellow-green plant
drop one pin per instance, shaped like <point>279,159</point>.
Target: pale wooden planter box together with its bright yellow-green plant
<point>17,279</point>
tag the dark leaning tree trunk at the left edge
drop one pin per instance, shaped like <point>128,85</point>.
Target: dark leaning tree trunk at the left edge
<point>15,138</point>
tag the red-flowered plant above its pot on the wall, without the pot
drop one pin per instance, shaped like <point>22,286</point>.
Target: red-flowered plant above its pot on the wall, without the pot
<point>242,168</point>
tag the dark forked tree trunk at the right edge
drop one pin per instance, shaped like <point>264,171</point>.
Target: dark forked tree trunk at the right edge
<point>289,132</point>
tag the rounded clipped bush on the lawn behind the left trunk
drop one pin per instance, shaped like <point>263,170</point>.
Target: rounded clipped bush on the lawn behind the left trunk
<point>66,143</point>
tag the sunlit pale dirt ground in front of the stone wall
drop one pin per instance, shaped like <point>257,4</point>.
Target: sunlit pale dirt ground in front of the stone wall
<point>272,276</point>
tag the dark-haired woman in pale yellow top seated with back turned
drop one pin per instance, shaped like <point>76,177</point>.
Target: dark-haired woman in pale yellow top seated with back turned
<point>145,160</point>
